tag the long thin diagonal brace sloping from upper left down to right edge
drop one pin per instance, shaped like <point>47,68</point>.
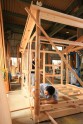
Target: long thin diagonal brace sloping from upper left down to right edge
<point>60,54</point>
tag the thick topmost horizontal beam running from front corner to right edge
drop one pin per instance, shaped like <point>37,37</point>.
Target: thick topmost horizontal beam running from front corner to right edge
<point>58,17</point>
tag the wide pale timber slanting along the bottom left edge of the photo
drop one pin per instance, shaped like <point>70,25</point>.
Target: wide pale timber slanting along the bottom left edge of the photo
<point>5,117</point>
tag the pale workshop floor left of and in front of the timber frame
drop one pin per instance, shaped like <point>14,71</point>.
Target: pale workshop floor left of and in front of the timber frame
<point>19,100</point>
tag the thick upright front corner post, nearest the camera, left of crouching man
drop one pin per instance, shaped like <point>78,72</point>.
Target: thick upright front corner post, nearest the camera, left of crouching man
<point>37,74</point>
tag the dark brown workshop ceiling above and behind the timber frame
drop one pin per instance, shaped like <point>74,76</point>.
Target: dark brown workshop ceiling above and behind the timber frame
<point>14,17</point>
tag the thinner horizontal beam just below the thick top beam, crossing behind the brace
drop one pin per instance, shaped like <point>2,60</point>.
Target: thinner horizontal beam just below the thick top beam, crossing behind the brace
<point>60,41</point>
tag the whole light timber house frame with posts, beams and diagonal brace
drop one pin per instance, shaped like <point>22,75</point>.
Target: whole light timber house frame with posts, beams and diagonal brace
<point>70,97</point>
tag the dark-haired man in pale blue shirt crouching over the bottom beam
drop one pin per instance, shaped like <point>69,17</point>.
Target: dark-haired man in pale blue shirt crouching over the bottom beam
<point>48,92</point>
